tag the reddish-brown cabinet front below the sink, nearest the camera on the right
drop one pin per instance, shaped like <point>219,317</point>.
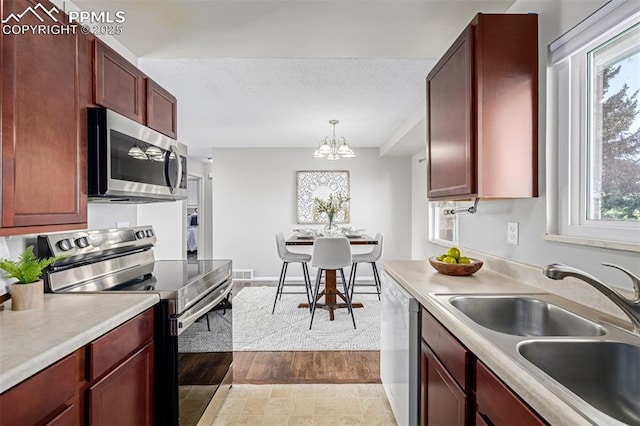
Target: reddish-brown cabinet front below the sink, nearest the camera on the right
<point>496,402</point>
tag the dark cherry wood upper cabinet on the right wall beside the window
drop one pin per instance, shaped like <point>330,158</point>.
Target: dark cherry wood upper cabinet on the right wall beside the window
<point>482,112</point>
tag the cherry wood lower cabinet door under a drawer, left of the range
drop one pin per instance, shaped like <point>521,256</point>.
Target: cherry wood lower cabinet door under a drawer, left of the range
<point>125,395</point>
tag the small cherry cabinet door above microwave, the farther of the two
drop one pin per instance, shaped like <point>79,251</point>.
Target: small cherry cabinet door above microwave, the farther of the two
<point>162,109</point>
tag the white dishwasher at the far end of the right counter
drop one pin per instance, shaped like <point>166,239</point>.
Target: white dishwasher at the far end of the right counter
<point>400,351</point>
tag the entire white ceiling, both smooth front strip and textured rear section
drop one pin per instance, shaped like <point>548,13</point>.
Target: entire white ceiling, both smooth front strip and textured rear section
<point>273,73</point>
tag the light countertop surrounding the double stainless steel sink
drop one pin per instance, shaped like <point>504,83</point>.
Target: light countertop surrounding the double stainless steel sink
<point>421,280</point>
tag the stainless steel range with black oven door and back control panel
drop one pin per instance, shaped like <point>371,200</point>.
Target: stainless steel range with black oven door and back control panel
<point>192,294</point>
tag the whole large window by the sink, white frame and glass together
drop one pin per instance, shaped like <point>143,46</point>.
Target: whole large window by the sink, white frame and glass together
<point>593,137</point>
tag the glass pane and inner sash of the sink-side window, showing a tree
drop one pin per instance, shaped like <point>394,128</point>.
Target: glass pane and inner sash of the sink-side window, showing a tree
<point>613,154</point>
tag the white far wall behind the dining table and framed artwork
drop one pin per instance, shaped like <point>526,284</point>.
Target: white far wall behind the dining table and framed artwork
<point>254,197</point>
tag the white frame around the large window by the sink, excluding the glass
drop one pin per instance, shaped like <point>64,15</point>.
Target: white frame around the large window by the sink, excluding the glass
<point>567,132</point>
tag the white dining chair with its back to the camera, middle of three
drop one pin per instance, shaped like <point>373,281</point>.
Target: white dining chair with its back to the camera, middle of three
<point>334,254</point>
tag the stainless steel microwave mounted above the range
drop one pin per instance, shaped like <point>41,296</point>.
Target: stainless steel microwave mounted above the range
<point>132,163</point>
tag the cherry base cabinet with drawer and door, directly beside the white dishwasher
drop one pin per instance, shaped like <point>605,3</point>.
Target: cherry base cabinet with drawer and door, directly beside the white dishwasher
<point>446,376</point>
